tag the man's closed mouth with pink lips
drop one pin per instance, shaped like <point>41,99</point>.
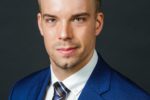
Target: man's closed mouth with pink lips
<point>67,51</point>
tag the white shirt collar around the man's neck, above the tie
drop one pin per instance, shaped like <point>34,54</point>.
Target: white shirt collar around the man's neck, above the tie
<point>77,81</point>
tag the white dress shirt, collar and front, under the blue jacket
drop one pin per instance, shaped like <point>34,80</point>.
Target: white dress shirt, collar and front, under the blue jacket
<point>76,82</point>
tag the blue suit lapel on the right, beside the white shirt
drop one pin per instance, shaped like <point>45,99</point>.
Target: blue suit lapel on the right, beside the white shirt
<point>98,82</point>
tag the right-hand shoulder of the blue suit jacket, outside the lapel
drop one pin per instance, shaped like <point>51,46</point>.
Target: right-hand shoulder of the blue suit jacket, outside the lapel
<point>123,88</point>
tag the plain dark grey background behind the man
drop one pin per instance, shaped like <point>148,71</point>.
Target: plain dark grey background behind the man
<point>124,42</point>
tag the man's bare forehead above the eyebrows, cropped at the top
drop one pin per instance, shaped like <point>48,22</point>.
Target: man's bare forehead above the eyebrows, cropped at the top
<point>66,5</point>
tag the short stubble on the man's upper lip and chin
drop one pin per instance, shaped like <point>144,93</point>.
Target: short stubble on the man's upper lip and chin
<point>67,62</point>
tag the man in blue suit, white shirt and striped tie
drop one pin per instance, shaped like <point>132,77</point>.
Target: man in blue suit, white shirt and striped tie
<point>69,29</point>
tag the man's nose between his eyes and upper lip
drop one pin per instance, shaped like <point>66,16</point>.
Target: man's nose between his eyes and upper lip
<point>65,31</point>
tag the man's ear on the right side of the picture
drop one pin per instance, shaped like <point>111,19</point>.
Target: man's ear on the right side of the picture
<point>99,23</point>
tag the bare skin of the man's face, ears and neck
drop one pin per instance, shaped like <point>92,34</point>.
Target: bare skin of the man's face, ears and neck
<point>69,29</point>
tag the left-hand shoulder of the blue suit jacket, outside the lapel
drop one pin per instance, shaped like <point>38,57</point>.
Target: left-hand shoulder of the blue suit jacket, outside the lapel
<point>28,83</point>
